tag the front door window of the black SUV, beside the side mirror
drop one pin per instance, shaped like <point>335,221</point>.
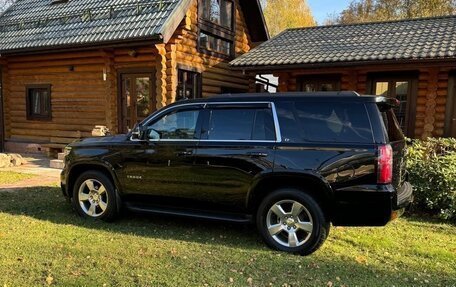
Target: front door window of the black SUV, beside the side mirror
<point>179,125</point>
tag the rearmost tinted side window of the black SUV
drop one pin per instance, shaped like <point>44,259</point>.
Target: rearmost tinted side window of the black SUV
<point>324,122</point>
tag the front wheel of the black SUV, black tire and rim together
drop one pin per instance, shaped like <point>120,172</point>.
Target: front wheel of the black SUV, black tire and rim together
<point>108,198</point>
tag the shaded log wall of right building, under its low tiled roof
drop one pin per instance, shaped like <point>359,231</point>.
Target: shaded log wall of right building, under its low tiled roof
<point>431,97</point>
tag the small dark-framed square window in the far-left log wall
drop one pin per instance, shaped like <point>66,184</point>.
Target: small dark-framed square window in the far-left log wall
<point>38,102</point>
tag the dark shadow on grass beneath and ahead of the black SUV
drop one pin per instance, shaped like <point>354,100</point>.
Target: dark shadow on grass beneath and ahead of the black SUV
<point>48,204</point>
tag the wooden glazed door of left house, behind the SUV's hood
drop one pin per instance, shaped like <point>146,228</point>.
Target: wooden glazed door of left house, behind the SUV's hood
<point>138,99</point>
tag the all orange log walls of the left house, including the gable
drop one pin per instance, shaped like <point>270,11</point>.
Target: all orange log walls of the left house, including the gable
<point>85,85</point>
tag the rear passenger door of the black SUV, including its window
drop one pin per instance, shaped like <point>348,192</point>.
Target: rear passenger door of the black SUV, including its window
<point>237,145</point>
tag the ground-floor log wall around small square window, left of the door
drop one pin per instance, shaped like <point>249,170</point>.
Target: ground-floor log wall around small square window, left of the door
<point>84,92</point>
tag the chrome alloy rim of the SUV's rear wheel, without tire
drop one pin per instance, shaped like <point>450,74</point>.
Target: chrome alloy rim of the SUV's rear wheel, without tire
<point>289,223</point>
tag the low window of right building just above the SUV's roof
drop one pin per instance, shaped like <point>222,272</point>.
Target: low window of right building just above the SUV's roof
<point>324,83</point>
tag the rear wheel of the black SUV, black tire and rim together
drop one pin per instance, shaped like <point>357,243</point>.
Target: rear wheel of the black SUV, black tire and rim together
<point>311,216</point>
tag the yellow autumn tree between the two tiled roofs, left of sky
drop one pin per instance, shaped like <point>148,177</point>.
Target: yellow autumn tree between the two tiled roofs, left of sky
<point>283,14</point>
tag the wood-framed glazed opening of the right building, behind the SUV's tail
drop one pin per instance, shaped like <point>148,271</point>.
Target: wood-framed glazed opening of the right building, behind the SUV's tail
<point>404,89</point>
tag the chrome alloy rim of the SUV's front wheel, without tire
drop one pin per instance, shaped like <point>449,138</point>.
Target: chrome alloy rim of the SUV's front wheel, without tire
<point>93,198</point>
